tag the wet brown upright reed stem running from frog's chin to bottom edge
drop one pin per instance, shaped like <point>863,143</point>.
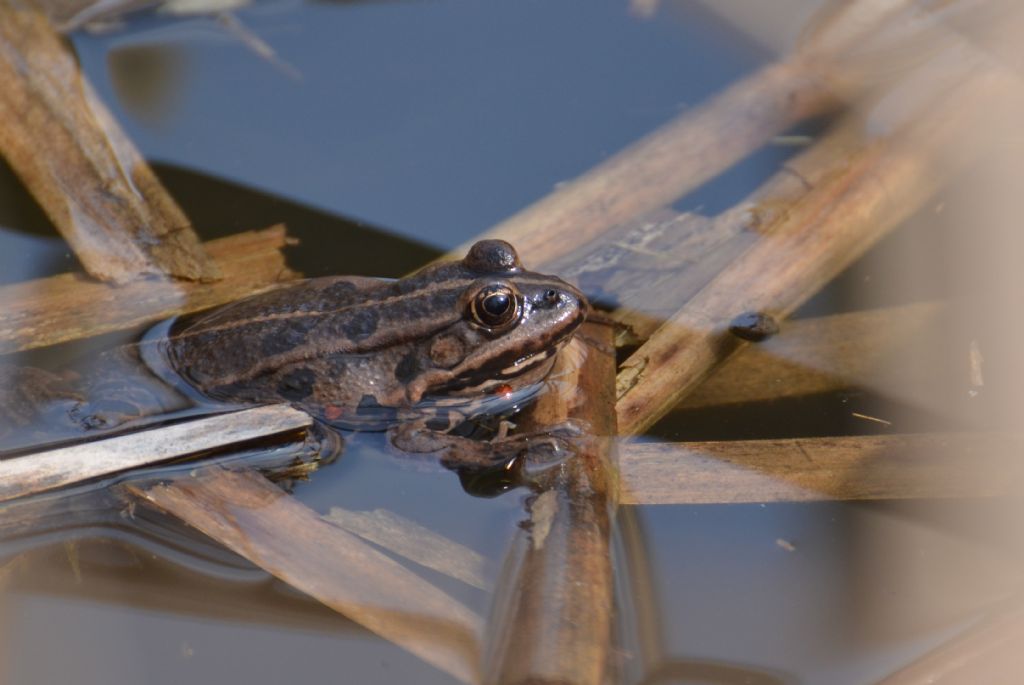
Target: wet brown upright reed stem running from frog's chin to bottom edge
<point>552,616</point>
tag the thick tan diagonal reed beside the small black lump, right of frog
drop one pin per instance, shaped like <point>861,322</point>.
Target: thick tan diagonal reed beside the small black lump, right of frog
<point>869,195</point>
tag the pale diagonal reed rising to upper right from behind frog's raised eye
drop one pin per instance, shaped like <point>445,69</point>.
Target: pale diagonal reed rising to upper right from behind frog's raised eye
<point>668,163</point>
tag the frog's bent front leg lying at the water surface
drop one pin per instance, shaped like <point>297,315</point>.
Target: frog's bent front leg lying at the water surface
<point>463,454</point>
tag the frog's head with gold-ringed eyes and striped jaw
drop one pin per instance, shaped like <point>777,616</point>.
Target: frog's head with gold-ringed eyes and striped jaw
<point>510,324</point>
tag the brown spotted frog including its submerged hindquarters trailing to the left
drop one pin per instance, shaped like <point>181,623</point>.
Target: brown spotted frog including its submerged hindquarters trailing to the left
<point>449,344</point>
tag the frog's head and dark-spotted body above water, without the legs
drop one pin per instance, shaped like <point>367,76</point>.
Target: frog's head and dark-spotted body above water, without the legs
<point>333,346</point>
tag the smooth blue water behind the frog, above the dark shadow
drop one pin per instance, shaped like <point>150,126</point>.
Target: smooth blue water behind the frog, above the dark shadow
<point>434,120</point>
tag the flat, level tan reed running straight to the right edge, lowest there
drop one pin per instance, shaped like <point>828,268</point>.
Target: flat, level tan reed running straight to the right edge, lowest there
<point>865,467</point>
